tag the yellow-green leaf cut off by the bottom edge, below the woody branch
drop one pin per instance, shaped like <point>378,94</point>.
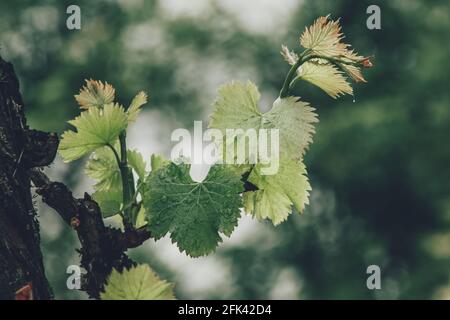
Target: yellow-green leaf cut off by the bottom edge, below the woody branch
<point>137,283</point>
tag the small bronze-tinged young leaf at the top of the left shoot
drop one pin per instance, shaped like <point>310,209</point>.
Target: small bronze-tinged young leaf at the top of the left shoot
<point>95,94</point>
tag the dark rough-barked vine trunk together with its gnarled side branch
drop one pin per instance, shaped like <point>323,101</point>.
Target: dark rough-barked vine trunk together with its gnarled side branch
<point>22,151</point>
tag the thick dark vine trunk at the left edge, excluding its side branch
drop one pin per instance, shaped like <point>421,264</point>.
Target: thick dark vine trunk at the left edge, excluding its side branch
<point>21,268</point>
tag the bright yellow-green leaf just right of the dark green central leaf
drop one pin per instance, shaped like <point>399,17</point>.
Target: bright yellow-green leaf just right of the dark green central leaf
<point>277,193</point>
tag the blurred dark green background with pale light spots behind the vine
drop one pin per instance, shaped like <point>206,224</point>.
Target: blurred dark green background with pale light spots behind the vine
<point>379,165</point>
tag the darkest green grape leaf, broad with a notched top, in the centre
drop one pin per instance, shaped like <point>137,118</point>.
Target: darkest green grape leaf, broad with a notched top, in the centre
<point>193,212</point>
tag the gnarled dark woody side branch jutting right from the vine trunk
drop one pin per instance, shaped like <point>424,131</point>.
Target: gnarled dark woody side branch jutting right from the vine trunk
<point>102,248</point>
